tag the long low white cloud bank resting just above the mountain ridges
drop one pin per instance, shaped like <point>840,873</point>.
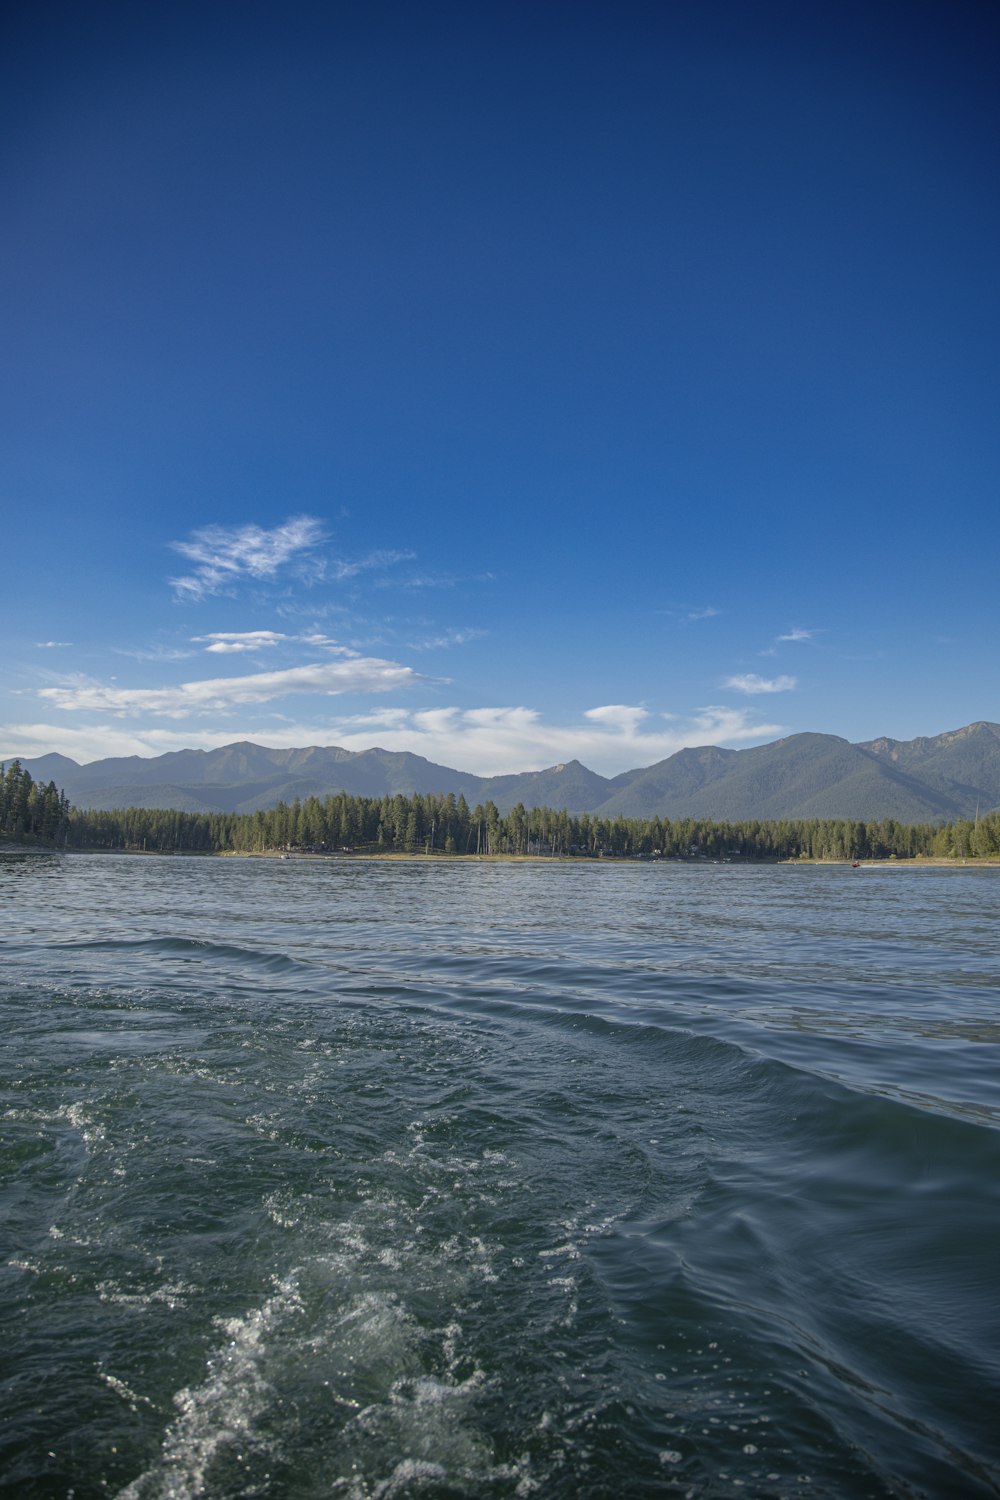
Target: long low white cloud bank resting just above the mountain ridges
<point>490,742</point>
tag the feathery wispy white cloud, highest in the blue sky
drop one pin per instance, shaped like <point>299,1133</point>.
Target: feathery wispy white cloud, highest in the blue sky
<point>223,556</point>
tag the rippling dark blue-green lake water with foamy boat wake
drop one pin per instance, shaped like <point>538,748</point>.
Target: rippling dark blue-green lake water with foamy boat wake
<point>377,1180</point>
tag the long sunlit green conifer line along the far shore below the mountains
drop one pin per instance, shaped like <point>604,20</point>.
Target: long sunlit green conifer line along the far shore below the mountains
<point>437,824</point>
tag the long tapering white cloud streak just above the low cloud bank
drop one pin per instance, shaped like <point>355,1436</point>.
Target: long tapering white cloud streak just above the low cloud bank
<point>221,694</point>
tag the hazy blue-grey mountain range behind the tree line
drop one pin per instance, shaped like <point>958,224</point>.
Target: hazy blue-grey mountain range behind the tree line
<point>804,776</point>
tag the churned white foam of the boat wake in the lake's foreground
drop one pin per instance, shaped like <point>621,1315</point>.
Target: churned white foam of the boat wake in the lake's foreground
<point>395,1393</point>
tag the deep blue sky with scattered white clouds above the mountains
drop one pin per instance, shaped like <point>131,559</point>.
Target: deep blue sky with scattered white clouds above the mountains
<point>500,383</point>
